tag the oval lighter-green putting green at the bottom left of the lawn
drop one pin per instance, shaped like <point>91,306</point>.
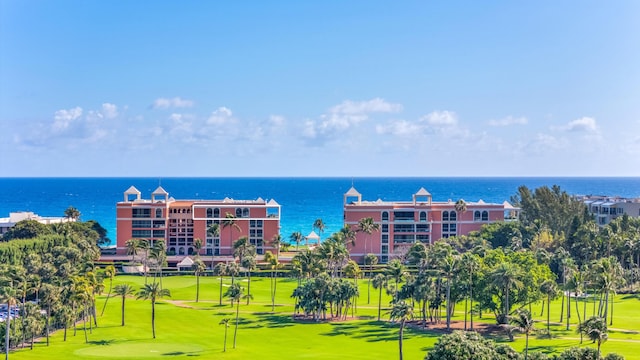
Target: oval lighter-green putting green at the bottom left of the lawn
<point>138,350</point>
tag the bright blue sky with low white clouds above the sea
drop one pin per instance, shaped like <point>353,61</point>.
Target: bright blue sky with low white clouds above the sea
<point>326,88</point>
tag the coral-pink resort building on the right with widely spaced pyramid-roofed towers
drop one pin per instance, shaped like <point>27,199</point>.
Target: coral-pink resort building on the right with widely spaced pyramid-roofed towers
<point>403,223</point>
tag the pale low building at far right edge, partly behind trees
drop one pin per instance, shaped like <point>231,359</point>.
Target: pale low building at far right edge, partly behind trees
<point>607,208</point>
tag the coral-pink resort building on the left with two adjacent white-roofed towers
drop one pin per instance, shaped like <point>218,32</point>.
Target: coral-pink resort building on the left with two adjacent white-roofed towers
<point>180,222</point>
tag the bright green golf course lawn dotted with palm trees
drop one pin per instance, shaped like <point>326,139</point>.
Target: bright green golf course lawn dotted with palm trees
<point>186,329</point>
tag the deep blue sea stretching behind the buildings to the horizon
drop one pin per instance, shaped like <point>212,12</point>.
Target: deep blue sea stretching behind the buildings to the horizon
<point>302,199</point>
